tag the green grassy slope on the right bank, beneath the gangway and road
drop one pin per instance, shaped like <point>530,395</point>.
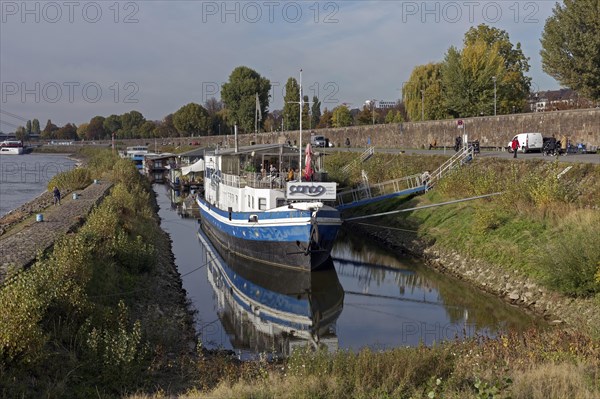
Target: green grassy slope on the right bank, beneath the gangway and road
<point>544,227</point>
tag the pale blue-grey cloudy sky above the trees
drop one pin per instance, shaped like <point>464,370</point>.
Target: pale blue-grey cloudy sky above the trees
<point>69,60</point>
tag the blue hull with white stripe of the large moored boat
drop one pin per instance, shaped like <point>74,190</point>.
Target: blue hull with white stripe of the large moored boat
<point>292,239</point>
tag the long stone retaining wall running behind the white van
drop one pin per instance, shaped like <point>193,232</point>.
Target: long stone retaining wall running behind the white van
<point>581,126</point>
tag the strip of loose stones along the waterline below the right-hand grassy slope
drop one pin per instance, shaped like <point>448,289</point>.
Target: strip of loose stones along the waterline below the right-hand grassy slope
<point>513,288</point>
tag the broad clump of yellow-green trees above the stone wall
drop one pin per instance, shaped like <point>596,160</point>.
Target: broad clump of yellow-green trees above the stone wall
<point>485,77</point>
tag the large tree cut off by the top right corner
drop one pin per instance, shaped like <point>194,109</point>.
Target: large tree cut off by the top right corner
<point>571,46</point>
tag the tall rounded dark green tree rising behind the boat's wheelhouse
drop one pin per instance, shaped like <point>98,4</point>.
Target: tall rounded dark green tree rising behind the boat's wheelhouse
<point>239,96</point>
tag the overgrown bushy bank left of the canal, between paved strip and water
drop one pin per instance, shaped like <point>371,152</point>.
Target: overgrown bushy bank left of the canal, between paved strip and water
<point>95,317</point>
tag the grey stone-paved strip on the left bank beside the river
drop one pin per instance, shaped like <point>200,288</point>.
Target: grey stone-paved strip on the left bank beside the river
<point>20,249</point>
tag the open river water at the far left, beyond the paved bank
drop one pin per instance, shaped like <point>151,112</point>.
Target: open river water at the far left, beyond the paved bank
<point>24,177</point>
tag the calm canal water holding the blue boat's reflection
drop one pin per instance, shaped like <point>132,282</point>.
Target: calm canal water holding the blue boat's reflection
<point>373,298</point>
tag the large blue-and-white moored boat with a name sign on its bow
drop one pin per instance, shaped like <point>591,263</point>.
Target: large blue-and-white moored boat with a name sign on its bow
<point>255,208</point>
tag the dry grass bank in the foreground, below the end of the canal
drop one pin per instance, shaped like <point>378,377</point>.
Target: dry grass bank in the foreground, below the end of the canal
<point>552,364</point>
